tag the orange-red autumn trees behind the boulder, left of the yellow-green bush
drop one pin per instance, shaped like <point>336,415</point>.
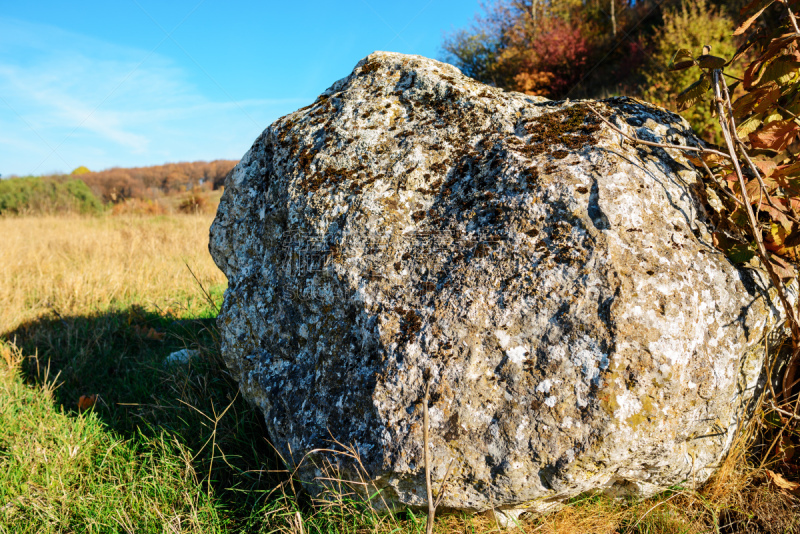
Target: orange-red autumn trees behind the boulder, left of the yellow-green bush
<point>554,48</point>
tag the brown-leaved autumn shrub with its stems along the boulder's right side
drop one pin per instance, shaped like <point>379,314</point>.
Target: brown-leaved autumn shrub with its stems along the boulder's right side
<point>756,177</point>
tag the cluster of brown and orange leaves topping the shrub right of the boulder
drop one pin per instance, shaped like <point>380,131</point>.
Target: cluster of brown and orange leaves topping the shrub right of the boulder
<point>764,129</point>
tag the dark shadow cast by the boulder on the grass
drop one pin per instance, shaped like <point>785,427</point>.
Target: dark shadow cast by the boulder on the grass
<point>121,357</point>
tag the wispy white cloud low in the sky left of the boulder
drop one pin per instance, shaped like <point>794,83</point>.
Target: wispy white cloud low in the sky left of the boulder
<point>100,104</point>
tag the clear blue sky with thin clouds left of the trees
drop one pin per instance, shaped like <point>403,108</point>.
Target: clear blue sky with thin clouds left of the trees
<point>140,82</point>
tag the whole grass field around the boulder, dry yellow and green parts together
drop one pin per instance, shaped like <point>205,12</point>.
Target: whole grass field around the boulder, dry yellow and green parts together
<point>98,434</point>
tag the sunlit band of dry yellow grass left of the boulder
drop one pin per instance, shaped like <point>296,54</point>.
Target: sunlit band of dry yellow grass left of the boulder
<point>72,265</point>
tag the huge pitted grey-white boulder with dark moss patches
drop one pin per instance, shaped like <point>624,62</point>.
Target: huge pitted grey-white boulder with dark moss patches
<point>580,330</point>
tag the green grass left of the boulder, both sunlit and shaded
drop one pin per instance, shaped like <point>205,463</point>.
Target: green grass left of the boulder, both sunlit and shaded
<point>165,448</point>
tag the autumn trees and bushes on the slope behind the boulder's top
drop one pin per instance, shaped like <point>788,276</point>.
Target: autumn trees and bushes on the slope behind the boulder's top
<point>595,48</point>
